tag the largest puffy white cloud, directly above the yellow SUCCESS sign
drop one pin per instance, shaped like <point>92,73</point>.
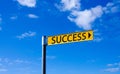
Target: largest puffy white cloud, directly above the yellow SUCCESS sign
<point>85,18</point>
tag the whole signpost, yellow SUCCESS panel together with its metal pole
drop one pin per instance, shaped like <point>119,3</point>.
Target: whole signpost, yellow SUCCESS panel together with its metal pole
<point>62,39</point>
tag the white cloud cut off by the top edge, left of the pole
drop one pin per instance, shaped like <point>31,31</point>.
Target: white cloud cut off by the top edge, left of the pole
<point>28,3</point>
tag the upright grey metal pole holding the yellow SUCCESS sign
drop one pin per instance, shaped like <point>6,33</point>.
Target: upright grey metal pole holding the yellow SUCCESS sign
<point>44,54</point>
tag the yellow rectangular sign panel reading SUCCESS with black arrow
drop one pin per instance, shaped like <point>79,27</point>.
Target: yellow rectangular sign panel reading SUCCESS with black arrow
<point>72,37</point>
